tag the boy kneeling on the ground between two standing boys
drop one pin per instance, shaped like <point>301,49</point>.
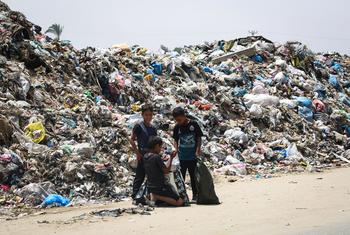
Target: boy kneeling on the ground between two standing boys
<point>155,170</point>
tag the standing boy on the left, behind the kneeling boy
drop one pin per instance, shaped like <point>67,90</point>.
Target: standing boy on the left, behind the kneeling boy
<point>141,134</point>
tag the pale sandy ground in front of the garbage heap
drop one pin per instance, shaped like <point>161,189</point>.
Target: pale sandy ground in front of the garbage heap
<point>305,204</point>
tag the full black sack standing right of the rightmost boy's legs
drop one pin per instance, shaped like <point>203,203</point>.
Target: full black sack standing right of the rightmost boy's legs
<point>205,185</point>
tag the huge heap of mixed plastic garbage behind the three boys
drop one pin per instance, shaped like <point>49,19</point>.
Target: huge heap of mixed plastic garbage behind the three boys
<point>66,114</point>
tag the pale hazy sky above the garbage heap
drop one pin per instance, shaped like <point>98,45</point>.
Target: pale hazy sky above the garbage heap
<point>322,25</point>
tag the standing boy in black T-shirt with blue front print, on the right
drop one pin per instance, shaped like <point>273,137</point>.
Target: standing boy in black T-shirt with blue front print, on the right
<point>188,139</point>
